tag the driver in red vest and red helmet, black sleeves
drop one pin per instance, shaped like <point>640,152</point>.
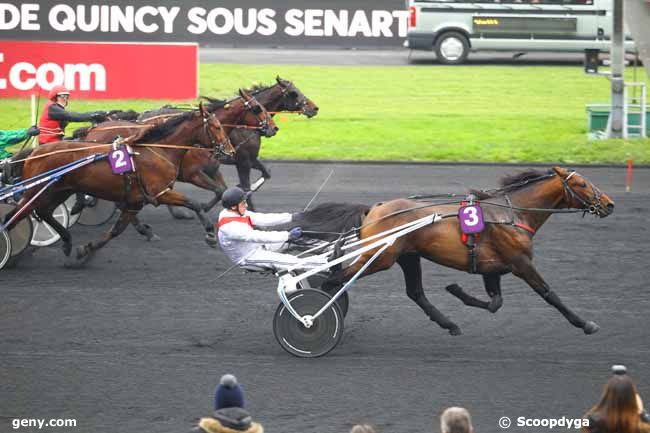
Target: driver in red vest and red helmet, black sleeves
<point>54,118</point>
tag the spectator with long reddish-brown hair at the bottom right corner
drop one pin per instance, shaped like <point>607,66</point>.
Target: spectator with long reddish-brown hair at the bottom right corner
<point>619,404</point>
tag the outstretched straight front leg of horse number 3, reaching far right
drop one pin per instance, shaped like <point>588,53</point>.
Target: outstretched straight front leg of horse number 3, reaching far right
<point>523,268</point>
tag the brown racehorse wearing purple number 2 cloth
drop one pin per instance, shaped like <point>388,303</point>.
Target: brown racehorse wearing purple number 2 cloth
<point>156,163</point>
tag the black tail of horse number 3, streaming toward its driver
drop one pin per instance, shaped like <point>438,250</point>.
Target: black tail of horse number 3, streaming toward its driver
<point>328,220</point>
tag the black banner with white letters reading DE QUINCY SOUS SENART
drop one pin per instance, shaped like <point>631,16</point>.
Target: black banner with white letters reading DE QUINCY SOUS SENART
<point>220,23</point>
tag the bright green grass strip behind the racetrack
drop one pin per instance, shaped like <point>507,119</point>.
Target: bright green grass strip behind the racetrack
<point>420,113</point>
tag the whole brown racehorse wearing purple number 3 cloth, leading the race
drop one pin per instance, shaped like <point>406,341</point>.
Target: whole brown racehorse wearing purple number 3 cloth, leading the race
<point>513,214</point>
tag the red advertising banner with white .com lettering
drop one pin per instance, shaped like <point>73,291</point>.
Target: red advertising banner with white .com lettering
<point>99,70</point>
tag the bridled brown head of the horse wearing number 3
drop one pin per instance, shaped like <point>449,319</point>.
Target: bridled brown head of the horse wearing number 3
<point>580,193</point>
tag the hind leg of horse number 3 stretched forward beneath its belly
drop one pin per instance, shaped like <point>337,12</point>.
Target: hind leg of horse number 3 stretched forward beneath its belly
<point>412,268</point>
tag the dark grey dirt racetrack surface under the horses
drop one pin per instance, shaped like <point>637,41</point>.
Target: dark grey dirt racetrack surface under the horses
<point>136,342</point>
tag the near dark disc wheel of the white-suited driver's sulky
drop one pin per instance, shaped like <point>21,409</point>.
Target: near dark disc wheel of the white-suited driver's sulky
<point>308,342</point>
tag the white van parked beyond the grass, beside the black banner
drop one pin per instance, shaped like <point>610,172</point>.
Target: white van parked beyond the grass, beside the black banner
<point>453,28</point>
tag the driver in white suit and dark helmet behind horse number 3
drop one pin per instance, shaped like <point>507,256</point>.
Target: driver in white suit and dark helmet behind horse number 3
<point>245,245</point>
